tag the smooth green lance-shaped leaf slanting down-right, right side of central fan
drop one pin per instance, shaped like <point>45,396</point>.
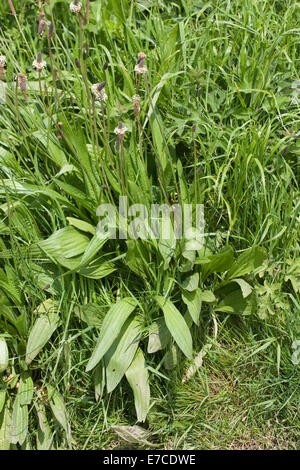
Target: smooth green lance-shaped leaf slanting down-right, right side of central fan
<point>176,325</point>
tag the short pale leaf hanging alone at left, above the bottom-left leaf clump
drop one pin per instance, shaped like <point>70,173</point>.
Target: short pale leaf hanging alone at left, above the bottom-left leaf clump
<point>40,334</point>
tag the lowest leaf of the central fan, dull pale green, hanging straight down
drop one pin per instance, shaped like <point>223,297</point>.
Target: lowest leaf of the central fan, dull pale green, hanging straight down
<point>138,378</point>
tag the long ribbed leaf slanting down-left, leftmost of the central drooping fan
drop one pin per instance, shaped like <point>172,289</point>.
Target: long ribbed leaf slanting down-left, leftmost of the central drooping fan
<point>111,327</point>
